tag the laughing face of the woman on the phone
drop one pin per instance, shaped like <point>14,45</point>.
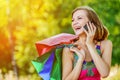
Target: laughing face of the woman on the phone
<point>79,19</point>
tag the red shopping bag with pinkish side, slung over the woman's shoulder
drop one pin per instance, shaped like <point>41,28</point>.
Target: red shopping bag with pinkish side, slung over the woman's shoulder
<point>49,43</point>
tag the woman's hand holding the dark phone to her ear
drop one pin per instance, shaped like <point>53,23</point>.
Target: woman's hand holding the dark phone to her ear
<point>90,33</point>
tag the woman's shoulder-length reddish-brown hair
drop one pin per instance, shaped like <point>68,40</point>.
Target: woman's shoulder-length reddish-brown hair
<point>101,31</point>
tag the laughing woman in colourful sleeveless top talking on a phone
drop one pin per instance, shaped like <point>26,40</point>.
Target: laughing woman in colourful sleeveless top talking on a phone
<point>90,58</point>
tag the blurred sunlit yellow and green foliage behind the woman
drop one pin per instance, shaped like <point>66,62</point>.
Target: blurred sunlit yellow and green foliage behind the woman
<point>24,22</point>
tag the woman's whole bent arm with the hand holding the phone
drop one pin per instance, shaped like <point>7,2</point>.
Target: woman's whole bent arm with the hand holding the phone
<point>102,64</point>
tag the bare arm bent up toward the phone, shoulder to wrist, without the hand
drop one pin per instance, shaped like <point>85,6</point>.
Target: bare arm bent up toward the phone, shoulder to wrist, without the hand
<point>102,64</point>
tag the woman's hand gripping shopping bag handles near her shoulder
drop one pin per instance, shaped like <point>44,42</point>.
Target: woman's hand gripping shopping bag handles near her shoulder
<point>80,53</point>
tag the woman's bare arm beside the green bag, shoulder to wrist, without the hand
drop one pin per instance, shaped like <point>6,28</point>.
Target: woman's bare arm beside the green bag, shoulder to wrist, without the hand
<point>68,72</point>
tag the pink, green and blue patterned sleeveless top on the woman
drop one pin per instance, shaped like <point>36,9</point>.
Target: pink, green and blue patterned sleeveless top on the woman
<point>89,70</point>
